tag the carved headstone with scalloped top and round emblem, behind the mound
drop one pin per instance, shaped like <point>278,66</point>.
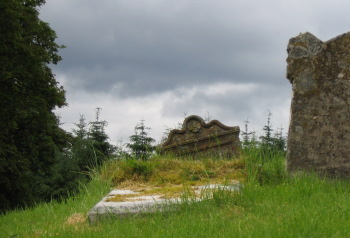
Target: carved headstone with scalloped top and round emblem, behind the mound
<point>196,136</point>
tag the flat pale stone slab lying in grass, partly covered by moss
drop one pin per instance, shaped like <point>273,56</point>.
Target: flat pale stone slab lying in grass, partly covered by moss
<point>134,204</point>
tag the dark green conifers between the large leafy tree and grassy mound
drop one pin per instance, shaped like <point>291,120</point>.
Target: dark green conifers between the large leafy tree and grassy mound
<point>89,149</point>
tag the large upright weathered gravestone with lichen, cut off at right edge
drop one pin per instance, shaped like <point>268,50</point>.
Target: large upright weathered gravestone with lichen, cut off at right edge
<point>319,132</point>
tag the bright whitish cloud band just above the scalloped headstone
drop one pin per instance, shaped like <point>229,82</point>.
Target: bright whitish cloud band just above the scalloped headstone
<point>230,105</point>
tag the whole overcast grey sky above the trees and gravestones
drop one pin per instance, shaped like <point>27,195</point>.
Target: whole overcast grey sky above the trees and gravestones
<point>159,60</point>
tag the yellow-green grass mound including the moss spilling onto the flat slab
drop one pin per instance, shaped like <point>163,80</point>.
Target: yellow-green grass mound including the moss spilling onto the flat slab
<point>170,177</point>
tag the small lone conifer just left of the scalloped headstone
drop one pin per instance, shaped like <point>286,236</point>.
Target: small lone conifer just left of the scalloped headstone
<point>141,144</point>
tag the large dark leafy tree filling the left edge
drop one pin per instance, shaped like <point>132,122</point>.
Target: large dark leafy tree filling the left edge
<point>30,137</point>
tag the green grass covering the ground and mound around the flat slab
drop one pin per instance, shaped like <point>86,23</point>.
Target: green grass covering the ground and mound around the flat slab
<point>271,204</point>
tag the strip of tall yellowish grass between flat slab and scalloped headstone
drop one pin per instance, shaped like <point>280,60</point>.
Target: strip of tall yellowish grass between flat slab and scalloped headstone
<point>163,171</point>
